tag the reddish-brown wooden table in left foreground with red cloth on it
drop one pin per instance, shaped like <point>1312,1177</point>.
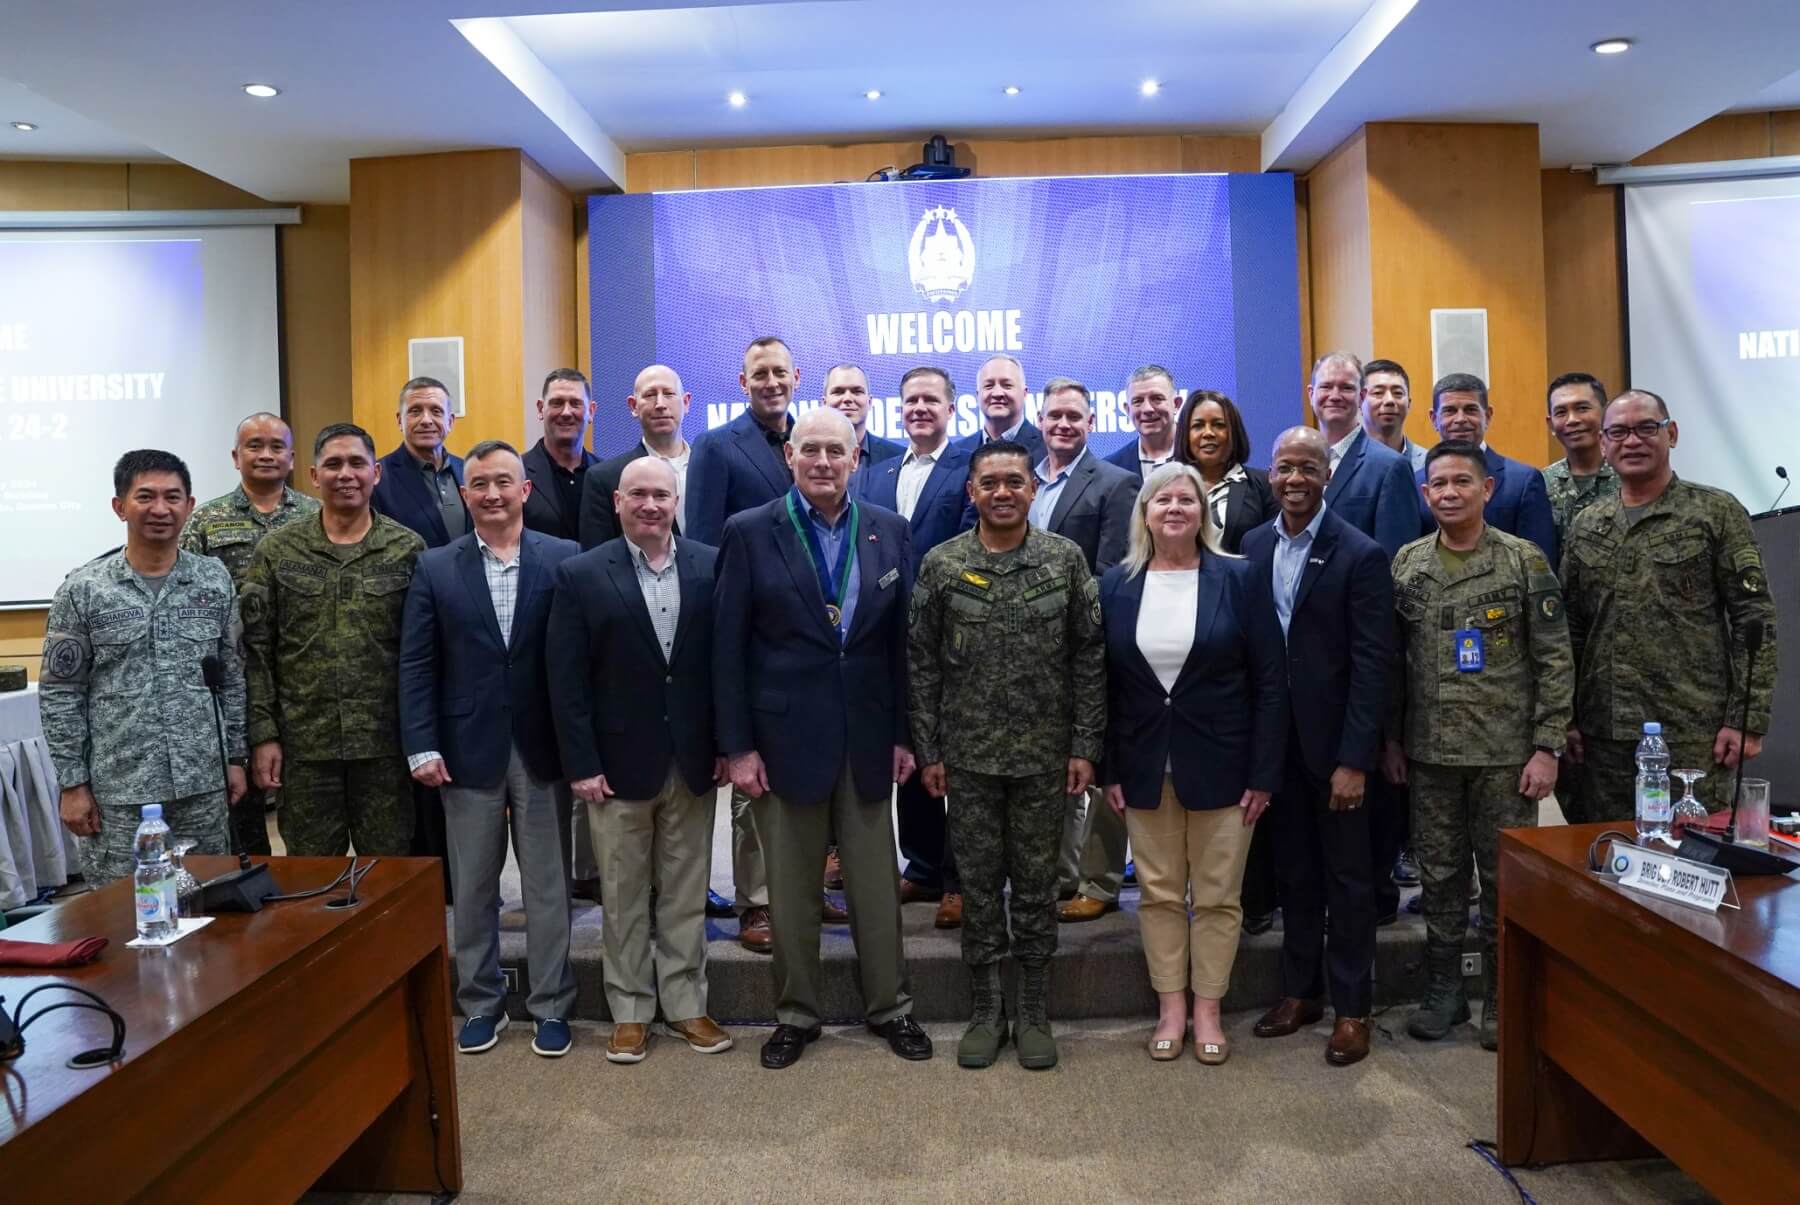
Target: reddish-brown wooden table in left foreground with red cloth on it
<point>265,1055</point>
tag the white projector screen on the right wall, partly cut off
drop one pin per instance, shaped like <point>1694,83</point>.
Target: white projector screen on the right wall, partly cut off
<point>1714,294</point>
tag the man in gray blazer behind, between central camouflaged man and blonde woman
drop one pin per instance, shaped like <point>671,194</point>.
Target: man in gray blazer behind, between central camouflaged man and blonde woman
<point>1090,502</point>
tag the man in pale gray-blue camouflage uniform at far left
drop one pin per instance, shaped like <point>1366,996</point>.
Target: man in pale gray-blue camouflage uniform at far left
<point>127,712</point>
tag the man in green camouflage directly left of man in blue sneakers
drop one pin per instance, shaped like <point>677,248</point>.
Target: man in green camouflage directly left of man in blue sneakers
<point>321,626</point>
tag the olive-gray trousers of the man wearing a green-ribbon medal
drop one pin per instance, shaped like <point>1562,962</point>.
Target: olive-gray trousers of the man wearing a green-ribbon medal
<point>795,840</point>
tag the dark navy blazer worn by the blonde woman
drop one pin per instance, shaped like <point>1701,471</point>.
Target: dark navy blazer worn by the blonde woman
<point>1225,727</point>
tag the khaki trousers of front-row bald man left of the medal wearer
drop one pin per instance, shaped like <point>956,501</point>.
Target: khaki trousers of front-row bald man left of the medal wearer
<point>661,846</point>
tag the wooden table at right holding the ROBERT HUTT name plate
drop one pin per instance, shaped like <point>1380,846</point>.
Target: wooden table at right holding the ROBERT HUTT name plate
<point>1633,1028</point>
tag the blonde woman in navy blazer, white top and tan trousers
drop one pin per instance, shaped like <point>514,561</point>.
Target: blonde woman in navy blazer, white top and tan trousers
<point>1198,720</point>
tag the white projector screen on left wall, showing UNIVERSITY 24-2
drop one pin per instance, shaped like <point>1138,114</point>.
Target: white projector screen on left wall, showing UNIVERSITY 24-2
<point>114,341</point>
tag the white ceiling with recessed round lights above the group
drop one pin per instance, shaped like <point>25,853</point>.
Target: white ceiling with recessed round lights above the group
<point>580,82</point>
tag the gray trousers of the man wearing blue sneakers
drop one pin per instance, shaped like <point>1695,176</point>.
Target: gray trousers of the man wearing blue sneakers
<point>476,829</point>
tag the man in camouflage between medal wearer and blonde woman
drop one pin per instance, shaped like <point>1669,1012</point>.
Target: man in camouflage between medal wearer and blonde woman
<point>1007,696</point>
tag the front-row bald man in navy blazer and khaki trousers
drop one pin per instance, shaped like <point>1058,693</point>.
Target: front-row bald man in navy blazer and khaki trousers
<point>633,694</point>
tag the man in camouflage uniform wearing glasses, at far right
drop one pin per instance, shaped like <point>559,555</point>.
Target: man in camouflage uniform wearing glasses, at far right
<point>1662,584</point>
